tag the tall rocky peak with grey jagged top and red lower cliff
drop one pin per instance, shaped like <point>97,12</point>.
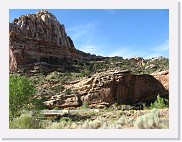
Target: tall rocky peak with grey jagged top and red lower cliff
<point>40,38</point>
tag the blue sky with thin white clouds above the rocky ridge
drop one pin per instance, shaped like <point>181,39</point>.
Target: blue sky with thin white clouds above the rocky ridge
<point>115,32</point>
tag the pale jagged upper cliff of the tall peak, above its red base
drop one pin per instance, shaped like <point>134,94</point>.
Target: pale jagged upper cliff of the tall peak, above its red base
<point>43,26</point>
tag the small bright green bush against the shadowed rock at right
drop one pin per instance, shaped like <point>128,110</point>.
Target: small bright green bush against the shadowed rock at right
<point>159,103</point>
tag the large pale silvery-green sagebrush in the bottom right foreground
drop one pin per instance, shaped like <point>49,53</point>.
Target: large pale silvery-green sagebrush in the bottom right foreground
<point>151,120</point>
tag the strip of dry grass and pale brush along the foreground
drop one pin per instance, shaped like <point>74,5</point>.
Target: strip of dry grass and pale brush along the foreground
<point>141,119</point>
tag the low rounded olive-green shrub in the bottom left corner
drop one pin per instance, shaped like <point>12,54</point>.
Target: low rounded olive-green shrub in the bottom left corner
<point>25,121</point>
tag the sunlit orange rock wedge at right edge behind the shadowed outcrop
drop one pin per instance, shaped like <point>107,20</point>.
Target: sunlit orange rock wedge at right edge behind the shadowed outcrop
<point>163,77</point>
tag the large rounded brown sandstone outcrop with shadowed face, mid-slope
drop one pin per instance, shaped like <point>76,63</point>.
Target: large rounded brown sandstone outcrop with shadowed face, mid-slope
<point>117,86</point>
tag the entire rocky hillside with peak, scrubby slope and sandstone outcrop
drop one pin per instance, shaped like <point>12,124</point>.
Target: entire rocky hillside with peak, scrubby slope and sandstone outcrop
<point>67,78</point>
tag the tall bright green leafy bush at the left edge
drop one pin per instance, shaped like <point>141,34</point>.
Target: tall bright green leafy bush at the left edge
<point>20,91</point>
